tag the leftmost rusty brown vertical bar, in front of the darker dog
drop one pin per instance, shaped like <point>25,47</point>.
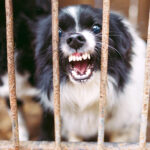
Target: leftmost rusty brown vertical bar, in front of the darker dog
<point>11,71</point>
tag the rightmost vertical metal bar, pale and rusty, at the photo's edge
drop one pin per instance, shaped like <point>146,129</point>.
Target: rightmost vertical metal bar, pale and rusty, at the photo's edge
<point>146,94</point>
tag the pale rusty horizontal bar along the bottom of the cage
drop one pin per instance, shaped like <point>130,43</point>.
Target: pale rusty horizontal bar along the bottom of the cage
<point>29,145</point>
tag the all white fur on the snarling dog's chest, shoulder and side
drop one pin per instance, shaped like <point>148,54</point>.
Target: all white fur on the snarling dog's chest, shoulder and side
<point>79,102</point>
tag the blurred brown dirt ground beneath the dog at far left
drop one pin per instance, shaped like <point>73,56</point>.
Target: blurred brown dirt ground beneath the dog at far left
<point>32,113</point>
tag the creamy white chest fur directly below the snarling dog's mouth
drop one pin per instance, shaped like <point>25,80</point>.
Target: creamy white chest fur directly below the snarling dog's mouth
<point>80,106</point>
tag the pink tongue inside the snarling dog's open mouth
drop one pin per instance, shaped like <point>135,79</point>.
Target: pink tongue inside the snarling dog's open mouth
<point>80,66</point>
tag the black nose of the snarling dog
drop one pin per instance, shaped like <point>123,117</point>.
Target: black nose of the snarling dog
<point>76,41</point>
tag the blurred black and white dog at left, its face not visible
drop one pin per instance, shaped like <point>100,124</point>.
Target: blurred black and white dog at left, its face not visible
<point>25,12</point>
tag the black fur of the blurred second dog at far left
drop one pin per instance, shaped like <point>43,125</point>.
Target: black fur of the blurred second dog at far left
<point>24,13</point>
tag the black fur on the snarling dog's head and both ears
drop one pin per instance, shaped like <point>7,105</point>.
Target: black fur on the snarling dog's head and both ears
<point>120,43</point>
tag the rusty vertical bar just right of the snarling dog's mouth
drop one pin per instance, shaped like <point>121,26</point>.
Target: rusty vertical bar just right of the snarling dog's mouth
<point>103,76</point>
